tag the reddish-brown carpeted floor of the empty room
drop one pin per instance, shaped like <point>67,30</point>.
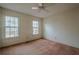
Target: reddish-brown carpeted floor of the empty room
<point>39,47</point>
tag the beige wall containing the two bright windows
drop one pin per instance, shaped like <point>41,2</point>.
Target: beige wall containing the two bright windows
<point>25,28</point>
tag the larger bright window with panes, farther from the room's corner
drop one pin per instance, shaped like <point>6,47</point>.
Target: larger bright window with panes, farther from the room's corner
<point>11,26</point>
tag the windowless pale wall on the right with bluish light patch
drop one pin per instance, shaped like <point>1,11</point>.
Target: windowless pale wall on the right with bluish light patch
<point>63,26</point>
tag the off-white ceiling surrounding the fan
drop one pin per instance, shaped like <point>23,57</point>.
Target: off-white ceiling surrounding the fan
<point>27,8</point>
